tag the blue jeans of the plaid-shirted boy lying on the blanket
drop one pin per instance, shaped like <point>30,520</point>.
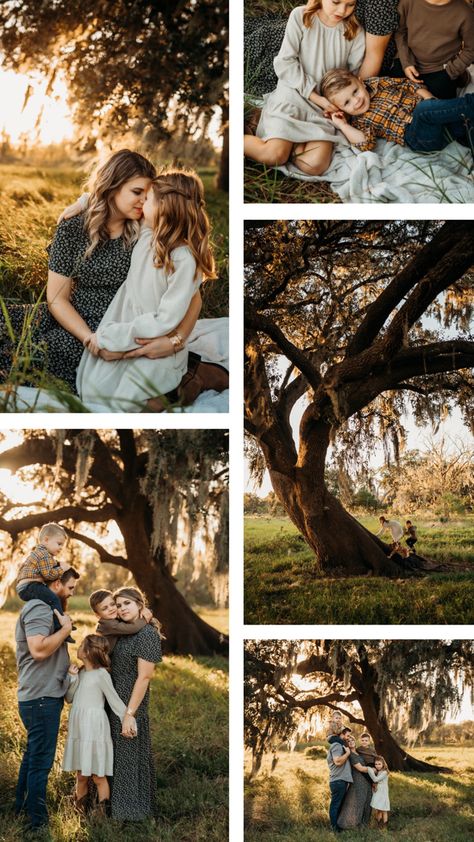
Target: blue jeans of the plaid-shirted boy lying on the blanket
<point>436,122</point>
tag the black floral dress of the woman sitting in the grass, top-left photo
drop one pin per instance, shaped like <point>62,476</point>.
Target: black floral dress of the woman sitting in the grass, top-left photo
<point>96,279</point>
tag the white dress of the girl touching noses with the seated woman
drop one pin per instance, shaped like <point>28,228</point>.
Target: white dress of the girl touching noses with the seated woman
<point>149,303</point>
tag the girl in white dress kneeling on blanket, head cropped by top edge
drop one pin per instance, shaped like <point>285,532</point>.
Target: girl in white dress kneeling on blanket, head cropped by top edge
<point>320,36</point>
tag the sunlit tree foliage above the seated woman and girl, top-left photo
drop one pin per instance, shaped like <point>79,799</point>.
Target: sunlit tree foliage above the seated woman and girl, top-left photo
<point>151,66</point>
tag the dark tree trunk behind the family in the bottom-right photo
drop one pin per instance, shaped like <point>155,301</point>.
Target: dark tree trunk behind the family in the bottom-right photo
<point>397,758</point>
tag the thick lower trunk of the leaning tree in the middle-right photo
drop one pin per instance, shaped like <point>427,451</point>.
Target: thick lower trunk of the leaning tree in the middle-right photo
<point>342,546</point>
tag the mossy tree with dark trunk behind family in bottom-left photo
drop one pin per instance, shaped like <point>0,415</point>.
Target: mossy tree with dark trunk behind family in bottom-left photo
<point>167,491</point>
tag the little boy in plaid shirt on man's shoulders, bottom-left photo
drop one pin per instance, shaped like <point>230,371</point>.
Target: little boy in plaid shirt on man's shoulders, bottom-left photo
<point>40,566</point>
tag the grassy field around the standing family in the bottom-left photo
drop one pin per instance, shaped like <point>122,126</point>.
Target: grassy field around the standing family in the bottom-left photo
<point>189,721</point>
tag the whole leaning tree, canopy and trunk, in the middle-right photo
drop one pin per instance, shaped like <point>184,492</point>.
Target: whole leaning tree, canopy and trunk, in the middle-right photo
<point>362,320</point>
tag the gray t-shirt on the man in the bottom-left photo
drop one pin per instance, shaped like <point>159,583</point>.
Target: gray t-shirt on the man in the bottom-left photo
<point>39,678</point>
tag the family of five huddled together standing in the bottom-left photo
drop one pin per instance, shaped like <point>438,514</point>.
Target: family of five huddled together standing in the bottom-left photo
<point>108,732</point>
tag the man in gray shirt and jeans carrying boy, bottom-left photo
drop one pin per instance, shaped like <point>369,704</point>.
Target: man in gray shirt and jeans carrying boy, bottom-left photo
<point>42,662</point>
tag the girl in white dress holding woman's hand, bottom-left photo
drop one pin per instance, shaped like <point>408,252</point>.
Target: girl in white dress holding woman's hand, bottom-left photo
<point>89,750</point>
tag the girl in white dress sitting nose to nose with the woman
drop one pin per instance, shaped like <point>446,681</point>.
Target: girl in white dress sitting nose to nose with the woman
<point>169,261</point>
